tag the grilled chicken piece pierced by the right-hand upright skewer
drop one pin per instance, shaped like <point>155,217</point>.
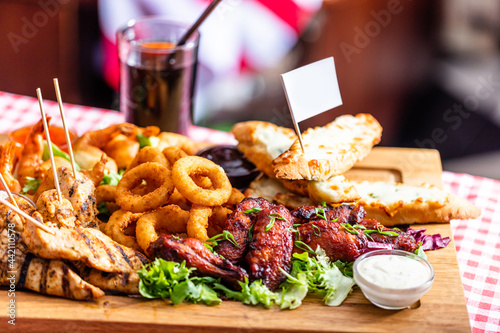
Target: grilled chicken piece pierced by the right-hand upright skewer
<point>80,191</point>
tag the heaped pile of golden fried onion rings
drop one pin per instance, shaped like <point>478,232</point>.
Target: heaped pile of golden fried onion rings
<point>168,191</point>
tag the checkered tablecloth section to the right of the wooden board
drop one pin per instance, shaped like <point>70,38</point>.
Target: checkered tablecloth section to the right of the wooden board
<point>478,248</point>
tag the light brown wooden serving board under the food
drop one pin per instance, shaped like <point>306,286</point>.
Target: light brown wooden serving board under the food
<point>443,308</point>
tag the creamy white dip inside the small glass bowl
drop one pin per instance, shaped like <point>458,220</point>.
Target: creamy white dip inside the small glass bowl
<point>395,272</point>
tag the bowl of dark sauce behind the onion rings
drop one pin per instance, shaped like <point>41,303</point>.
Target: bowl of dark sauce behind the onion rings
<point>239,170</point>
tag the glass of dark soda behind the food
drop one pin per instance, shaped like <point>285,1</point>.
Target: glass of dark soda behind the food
<point>157,85</point>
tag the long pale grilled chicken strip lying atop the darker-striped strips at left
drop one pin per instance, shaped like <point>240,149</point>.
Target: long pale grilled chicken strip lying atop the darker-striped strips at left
<point>88,245</point>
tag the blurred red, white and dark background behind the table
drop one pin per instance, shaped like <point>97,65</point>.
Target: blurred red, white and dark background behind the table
<point>428,70</point>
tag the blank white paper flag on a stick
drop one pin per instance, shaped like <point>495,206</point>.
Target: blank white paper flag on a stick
<point>312,89</point>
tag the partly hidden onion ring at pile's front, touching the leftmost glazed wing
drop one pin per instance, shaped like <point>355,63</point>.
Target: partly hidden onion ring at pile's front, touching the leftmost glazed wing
<point>168,219</point>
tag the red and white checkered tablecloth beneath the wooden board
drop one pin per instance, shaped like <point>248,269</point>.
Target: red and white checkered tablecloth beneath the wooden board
<point>477,241</point>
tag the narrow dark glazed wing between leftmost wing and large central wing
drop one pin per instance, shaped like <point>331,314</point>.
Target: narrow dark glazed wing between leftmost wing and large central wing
<point>239,224</point>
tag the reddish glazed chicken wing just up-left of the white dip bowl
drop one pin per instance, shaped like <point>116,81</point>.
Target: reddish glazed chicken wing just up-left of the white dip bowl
<point>338,242</point>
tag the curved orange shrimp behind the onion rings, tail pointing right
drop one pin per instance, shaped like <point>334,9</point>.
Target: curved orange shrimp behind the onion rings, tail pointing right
<point>89,147</point>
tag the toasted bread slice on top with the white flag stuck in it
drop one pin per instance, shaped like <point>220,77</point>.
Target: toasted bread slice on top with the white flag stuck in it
<point>330,150</point>
